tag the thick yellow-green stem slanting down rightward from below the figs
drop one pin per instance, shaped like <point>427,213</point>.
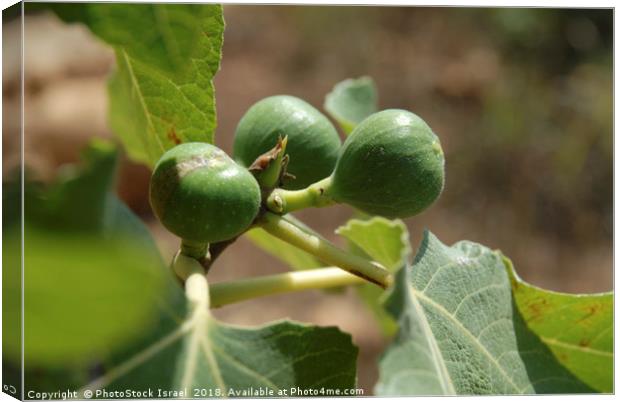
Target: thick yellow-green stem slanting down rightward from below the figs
<point>324,250</point>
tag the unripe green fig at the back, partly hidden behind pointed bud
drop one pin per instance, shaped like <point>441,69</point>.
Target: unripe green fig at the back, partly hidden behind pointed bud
<point>313,142</point>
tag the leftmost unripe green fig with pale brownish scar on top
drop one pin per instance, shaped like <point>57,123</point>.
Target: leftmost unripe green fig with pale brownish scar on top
<point>201,195</point>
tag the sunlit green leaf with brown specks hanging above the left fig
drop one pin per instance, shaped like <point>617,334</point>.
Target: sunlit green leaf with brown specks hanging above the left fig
<point>161,93</point>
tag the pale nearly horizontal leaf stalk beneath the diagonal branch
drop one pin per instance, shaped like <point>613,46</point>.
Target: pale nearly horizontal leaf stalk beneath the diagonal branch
<point>224,293</point>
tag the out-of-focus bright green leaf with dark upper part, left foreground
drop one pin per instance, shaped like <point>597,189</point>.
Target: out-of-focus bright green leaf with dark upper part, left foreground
<point>92,275</point>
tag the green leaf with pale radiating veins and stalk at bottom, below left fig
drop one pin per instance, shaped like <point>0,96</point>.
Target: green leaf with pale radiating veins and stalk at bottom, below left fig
<point>224,360</point>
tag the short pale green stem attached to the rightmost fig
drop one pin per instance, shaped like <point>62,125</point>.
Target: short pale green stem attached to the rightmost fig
<point>316,195</point>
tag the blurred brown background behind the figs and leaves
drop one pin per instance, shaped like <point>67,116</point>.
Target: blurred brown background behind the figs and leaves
<point>521,99</point>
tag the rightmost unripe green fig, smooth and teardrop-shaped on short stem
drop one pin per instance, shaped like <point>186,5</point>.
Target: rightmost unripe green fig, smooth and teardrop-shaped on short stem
<point>391,165</point>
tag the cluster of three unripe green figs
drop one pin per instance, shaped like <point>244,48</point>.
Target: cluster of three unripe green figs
<point>391,165</point>
